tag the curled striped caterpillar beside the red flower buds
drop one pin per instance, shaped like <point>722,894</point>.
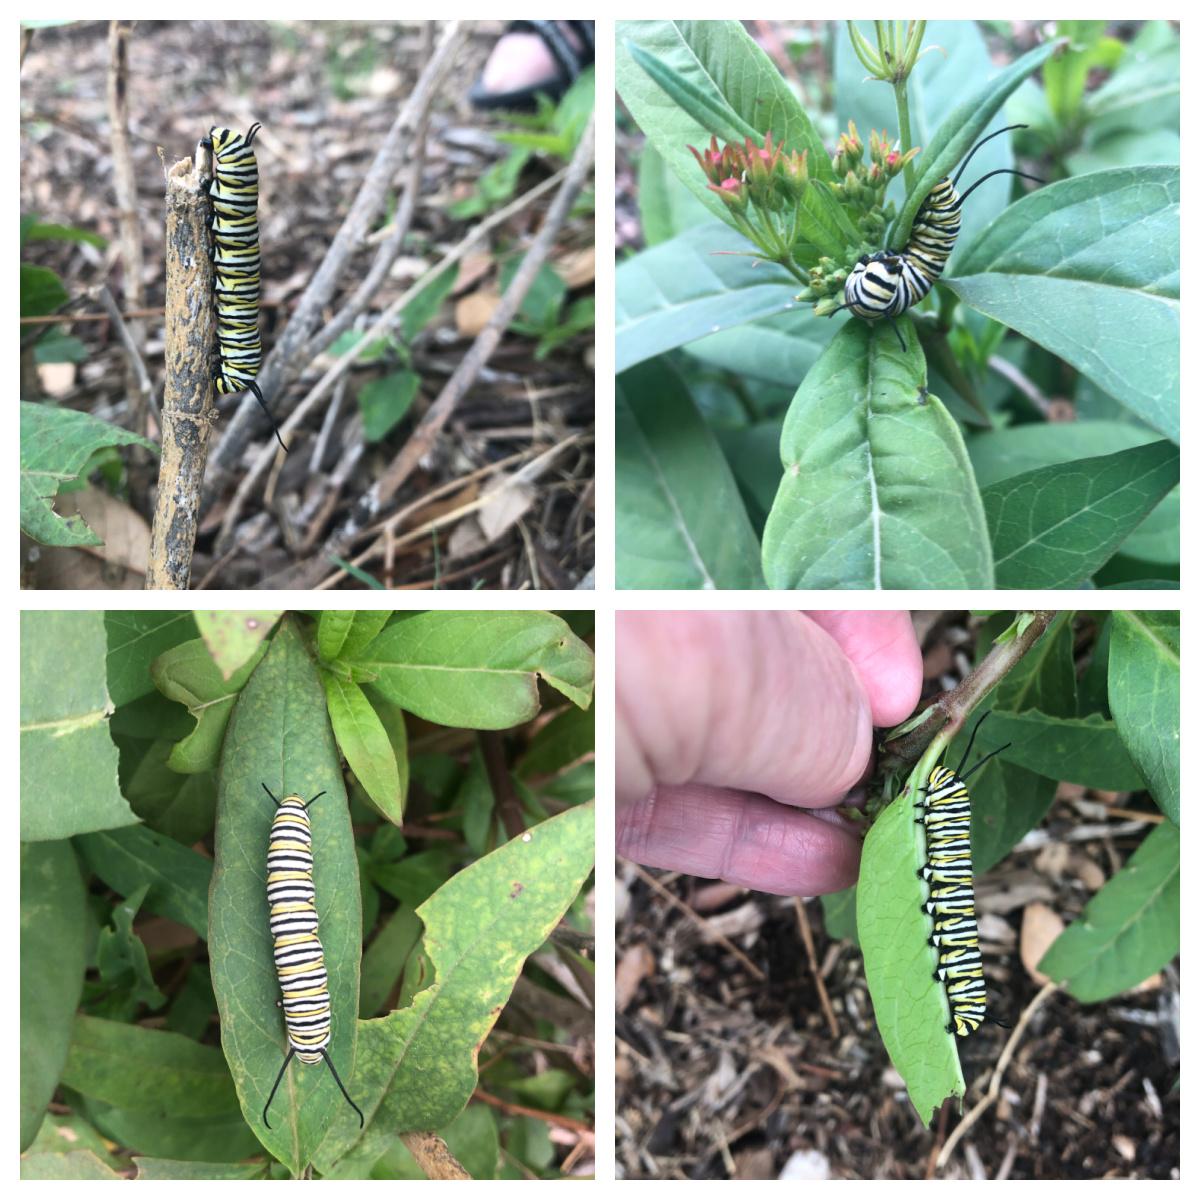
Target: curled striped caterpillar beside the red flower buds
<point>890,283</point>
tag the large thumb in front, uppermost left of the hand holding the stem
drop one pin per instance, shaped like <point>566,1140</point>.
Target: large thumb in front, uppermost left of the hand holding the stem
<point>755,701</point>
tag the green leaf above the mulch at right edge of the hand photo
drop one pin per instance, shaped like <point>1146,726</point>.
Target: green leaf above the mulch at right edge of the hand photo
<point>1130,929</point>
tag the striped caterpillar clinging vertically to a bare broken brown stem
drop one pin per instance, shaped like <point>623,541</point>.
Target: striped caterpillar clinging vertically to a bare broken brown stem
<point>236,263</point>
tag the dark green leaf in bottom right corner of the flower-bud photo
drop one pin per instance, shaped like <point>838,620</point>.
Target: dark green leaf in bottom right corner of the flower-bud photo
<point>1057,526</point>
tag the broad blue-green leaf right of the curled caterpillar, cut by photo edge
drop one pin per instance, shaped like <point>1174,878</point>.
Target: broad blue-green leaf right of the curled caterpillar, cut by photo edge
<point>1090,269</point>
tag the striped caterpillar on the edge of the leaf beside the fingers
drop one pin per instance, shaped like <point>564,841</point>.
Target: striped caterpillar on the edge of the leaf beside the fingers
<point>946,815</point>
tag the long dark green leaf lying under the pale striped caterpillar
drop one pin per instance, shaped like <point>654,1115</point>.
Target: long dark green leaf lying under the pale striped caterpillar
<point>280,736</point>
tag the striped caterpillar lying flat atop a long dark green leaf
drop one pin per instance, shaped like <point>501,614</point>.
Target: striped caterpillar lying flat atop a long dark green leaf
<point>299,957</point>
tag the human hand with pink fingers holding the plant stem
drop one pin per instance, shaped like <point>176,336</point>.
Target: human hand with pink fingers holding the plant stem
<point>739,733</point>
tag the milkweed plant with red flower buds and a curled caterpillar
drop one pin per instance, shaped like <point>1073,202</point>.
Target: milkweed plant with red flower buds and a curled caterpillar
<point>1006,415</point>
